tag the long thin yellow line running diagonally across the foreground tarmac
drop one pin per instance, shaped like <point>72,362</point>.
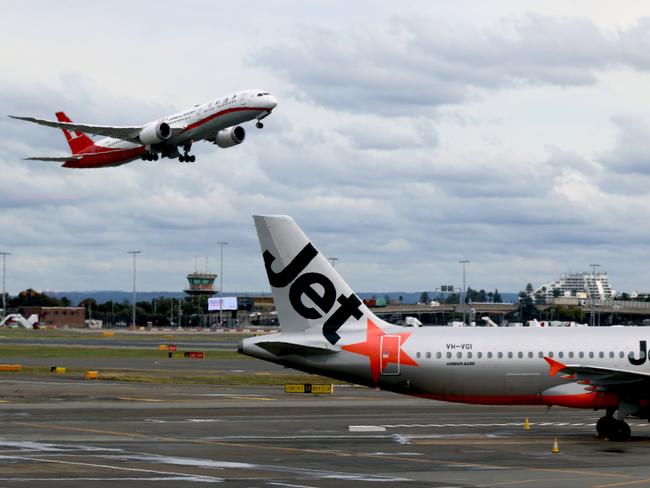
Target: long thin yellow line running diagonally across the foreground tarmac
<point>578,472</point>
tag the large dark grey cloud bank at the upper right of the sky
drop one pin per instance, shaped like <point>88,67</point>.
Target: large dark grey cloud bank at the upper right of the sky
<point>419,64</point>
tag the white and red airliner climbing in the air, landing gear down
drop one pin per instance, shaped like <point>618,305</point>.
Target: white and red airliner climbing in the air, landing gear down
<point>216,121</point>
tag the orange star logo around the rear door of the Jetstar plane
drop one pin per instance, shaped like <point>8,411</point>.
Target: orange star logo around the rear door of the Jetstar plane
<point>381,357</point>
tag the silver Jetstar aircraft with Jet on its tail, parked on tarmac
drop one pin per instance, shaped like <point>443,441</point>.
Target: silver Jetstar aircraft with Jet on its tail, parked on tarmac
<point>327,330</point>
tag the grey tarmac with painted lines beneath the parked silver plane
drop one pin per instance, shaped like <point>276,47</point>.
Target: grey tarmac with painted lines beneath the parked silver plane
<point>65,432</point>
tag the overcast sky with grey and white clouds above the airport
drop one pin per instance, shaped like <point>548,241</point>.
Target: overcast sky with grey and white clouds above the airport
<point>408,136</point>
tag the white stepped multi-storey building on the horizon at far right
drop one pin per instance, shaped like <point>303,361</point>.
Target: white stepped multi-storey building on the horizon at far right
<point>587,285</point>
